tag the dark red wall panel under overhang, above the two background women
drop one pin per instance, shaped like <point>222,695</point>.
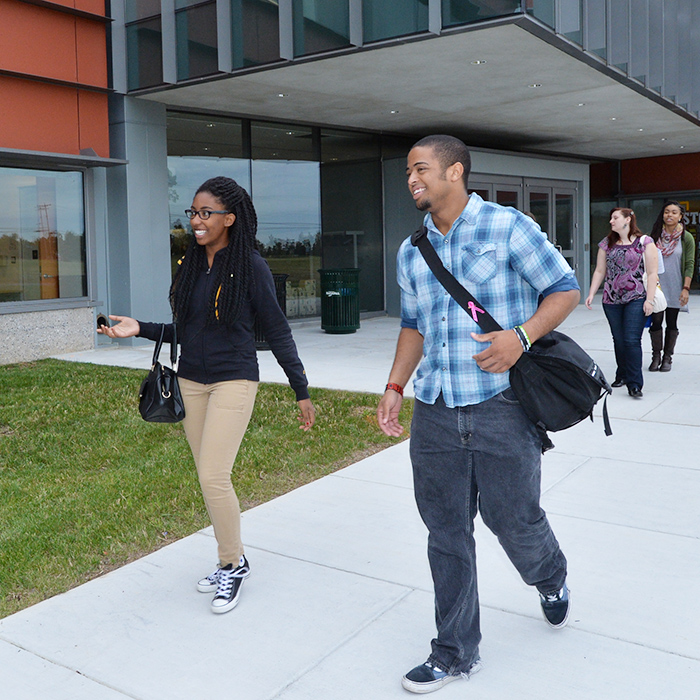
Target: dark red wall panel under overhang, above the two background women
<point>661,174</point>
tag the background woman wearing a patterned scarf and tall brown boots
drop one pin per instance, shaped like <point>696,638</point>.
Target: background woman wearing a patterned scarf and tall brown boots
<point>678,250</point>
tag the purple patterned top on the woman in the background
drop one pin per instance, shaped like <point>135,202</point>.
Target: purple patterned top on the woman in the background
<point>625,268</point>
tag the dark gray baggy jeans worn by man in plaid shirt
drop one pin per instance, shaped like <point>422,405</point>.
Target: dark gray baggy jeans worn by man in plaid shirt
<point>485,456</point>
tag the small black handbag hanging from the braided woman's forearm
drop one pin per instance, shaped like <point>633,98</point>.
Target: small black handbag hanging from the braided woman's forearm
<point>160,400</point>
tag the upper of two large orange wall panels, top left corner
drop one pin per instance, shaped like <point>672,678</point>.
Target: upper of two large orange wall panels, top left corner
<point>37,41</point>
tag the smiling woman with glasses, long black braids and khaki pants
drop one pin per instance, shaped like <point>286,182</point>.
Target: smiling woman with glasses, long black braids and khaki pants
<point>222,285</point>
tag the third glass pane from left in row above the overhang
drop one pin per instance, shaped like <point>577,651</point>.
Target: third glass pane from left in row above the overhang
<point>255,32</point>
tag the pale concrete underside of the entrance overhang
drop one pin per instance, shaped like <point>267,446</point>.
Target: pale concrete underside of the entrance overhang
<point>509,86</point>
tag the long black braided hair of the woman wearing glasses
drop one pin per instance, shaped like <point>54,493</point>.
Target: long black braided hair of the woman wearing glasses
<point>234,276</point>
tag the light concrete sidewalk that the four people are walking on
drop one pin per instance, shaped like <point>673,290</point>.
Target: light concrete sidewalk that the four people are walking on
<point>340,605</point>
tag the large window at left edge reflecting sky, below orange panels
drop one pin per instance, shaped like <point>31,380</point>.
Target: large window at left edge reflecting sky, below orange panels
<point>42,235</point>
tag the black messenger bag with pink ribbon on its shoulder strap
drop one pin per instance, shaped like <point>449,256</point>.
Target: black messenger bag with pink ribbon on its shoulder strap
<point>556,382</point>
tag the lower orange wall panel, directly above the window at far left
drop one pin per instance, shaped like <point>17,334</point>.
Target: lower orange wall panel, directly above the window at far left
<point>42,117</point>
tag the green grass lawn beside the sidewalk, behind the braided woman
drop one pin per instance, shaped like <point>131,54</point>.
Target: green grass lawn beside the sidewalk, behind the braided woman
<point>87,486</point>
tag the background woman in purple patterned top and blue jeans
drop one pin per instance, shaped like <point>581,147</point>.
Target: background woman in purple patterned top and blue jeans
<point>623,257</point>
